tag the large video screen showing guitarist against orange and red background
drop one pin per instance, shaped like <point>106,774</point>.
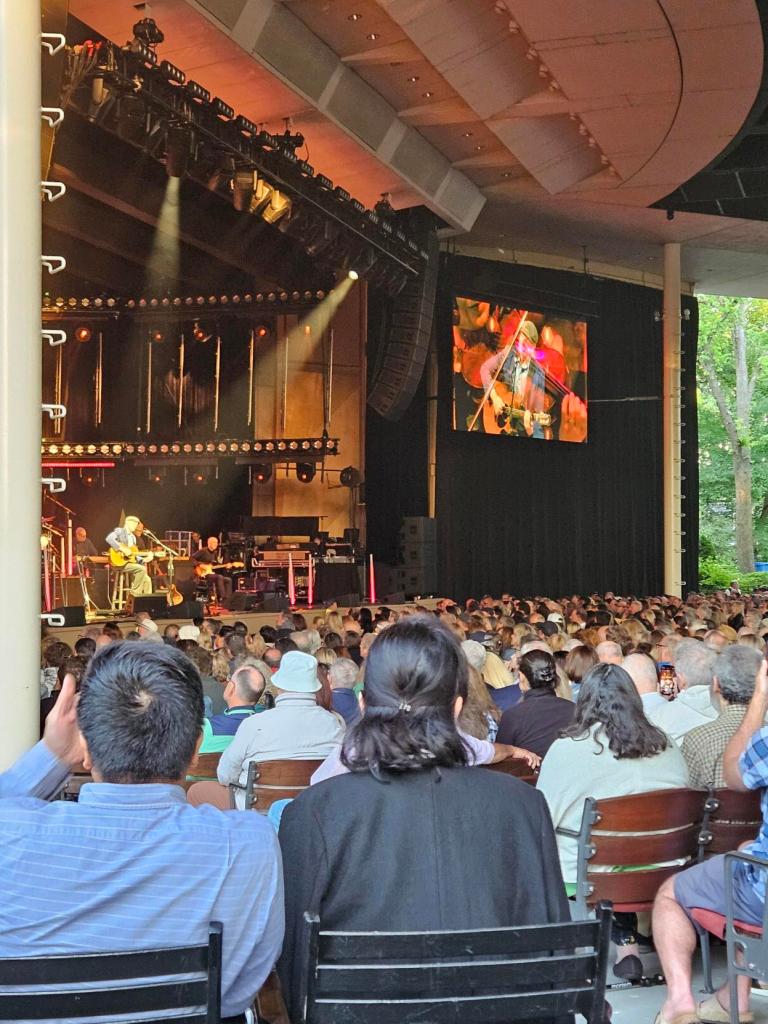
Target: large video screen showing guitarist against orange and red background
<point>520,373</point>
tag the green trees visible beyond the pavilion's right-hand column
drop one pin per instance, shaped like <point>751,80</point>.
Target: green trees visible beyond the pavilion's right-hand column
<point>733,379</point>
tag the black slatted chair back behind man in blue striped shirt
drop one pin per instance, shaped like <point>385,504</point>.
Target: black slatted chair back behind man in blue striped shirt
<point>182,986</point>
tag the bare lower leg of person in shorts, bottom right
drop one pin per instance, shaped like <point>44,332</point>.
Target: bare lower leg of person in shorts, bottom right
<point>676,943</point>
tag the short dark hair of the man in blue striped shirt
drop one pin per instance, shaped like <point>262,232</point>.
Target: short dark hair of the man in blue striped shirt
<point>141,712</point>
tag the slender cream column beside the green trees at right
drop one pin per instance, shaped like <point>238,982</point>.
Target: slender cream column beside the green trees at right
<point>671,401</point>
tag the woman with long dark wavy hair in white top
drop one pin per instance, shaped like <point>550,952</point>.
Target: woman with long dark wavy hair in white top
<point>611,750</point>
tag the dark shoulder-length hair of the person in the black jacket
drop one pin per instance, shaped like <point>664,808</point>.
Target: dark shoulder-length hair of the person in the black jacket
<point>414,673</point>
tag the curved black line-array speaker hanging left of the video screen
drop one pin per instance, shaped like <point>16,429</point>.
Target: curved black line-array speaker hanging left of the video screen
<point>403,355</point>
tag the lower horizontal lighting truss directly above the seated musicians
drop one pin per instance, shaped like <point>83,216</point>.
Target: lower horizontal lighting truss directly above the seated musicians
<point>245,452</point>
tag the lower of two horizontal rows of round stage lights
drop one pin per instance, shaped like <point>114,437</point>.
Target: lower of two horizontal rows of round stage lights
<point>319,446</point>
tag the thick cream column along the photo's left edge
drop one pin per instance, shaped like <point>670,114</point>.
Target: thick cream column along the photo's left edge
<point>20,372</point>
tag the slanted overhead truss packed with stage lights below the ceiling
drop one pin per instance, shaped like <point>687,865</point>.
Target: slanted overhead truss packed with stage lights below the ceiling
<point>154,107</point>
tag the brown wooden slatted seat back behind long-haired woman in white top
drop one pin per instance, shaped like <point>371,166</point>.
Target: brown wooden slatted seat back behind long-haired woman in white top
<point>653,836</point>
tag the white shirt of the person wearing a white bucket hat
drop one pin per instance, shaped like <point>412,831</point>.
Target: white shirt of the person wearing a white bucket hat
<point>296,729</point>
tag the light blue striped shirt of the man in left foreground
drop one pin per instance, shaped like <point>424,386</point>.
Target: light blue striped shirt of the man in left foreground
<point>136,868</point>
